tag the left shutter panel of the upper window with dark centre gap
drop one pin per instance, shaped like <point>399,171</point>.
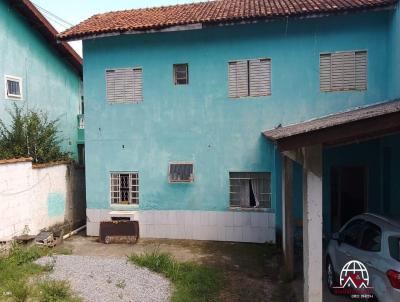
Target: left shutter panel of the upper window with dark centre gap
<point>238,79</point>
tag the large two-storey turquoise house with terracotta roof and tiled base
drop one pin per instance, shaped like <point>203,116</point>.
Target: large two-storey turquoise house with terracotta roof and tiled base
<point>178,98</point>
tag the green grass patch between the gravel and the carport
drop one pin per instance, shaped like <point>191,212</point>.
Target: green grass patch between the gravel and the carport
<point>193,282</point>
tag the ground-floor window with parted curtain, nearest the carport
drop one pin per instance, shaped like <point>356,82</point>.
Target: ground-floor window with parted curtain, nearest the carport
<point>250,189</point>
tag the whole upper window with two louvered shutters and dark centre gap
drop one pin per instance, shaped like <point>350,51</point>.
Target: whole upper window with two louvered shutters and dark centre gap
<point>249,78</point>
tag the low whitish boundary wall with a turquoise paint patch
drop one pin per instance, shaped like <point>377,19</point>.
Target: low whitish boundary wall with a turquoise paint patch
<point>38,198</point>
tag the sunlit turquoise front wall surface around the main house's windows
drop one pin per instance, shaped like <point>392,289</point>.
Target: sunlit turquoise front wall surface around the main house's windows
<point>198,122</point>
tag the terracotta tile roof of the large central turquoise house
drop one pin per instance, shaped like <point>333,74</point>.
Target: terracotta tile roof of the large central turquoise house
<point>210,12</point>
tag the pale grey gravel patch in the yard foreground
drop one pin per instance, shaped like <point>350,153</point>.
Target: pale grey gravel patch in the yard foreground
<point>107,279</point>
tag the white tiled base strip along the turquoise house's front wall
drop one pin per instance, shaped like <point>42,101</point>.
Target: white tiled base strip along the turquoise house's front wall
<point>257,227</point>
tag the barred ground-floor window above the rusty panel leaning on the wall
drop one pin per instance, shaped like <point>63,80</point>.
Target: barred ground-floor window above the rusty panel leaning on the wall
<point>124,188</point>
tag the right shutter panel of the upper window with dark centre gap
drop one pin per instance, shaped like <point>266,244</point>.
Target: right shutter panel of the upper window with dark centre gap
<point>260,77</point>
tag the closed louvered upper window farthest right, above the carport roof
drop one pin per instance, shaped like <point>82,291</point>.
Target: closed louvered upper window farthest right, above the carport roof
<point>343,71</point>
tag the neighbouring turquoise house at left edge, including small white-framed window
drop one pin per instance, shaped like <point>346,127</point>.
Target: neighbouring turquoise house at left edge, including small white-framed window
<point>37,72</point>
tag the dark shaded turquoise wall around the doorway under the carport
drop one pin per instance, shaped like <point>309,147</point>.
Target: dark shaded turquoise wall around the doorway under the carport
<point>369,154</point>
